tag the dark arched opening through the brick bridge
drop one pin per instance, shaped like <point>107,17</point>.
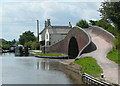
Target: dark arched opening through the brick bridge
<point>73,49</point>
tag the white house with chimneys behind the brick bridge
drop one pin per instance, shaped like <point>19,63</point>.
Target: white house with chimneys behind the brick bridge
<point>53,34</point>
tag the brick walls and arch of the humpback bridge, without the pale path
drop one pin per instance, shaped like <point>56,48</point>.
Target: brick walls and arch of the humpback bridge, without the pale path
<point>78,41</point>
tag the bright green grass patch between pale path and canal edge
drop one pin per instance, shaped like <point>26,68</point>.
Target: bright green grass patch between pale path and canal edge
<point>89,66</point>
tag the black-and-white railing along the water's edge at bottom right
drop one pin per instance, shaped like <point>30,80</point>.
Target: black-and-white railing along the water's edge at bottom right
<point>94,81</point>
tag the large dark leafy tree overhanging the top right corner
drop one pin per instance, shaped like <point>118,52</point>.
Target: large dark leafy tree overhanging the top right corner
<point>111,11</point>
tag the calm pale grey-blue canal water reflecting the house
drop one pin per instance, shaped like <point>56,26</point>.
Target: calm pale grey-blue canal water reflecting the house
<point>31,70</point>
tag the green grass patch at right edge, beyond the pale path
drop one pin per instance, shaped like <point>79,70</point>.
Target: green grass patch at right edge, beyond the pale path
<point>113,56</point>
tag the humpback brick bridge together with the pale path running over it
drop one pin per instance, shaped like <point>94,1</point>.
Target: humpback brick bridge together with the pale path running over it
<point>79,41</point>
